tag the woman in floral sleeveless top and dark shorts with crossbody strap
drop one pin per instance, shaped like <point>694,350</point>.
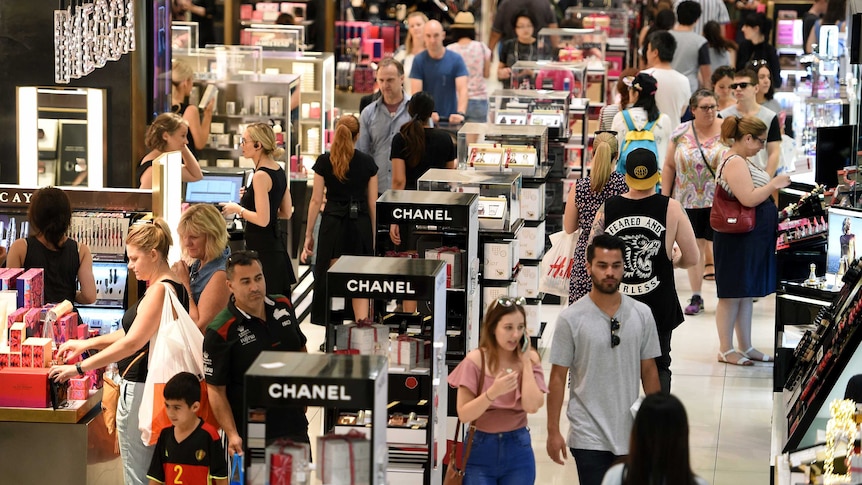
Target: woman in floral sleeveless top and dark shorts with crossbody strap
<point>688,176</point>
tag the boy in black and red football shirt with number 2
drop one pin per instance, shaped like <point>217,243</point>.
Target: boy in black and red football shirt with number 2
<point>189,452</point>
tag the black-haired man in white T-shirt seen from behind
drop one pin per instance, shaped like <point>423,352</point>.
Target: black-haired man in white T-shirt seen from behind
<point>673,89</point>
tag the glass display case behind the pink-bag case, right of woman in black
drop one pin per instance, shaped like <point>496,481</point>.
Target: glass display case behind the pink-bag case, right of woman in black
<point>572,45</point>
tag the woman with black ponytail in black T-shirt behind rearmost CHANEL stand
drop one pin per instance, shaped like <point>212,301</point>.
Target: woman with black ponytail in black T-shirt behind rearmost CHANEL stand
<point>417,148</point>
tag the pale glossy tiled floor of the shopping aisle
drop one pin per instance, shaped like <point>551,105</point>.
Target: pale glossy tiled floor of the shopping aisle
<point>729,407</point>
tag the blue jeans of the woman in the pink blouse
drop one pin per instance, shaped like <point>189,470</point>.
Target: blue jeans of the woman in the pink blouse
<point>501,459</point>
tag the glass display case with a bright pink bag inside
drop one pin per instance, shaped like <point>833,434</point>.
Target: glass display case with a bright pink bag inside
<point>550,75</point>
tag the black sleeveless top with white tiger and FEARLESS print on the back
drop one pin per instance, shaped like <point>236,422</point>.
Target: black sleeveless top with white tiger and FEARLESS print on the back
<point>648,276</point>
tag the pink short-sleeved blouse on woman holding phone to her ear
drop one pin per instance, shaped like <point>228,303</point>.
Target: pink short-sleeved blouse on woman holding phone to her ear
<point>505,413</point>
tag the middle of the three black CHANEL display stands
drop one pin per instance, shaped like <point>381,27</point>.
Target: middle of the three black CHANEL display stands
<point>423,391</point>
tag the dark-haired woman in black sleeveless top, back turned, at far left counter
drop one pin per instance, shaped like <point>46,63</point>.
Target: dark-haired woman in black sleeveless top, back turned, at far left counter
<point>67,264</point>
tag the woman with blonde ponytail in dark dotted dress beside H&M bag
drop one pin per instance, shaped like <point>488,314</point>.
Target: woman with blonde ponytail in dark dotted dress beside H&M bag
<point>584,201</point>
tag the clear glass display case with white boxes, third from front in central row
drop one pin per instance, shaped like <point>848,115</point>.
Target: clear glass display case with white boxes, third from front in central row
<point>526,107</point>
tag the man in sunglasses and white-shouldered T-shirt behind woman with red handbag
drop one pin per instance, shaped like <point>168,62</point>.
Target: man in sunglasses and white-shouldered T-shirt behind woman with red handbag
<point>745,88</point>
